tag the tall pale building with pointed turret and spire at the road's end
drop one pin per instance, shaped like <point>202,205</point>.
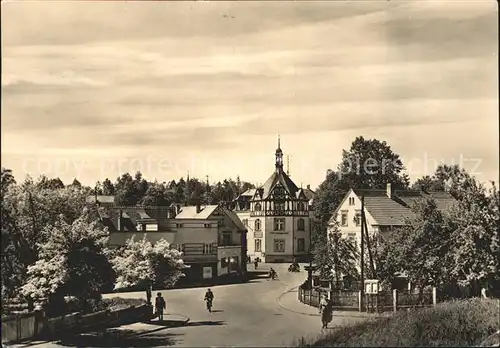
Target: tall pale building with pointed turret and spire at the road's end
<point>277,217</point>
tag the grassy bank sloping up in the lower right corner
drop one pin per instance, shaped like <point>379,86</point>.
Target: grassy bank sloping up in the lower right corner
<point>454,323</point>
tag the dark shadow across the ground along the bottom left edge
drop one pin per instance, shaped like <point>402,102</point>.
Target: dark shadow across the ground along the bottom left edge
<point>121,338</point>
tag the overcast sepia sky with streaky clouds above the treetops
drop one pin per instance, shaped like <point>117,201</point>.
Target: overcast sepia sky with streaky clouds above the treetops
<point>94,89</point>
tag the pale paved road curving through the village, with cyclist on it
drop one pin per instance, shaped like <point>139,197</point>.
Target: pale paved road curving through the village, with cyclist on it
<point>243,315</point>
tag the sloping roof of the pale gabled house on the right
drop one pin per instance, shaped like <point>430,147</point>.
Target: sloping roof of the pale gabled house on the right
<point>393,211</point>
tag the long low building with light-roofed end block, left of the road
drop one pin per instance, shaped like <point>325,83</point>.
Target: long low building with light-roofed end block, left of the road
<point>212,238</point>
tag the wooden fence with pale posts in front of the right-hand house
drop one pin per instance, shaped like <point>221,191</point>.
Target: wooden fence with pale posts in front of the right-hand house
<point>379,302</point>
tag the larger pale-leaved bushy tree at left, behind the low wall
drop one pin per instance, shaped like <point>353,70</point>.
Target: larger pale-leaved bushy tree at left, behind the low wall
<point>72,261</point>
